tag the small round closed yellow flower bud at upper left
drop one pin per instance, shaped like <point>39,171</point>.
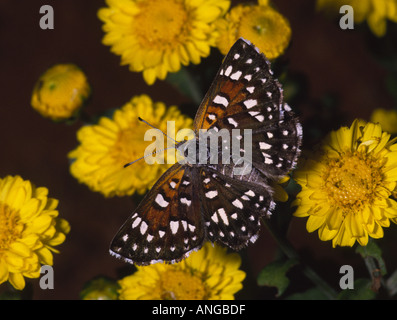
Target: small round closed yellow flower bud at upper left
<point>60,92</point>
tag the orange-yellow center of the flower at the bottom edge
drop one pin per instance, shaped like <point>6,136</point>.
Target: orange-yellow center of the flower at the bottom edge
<point>181,285</point>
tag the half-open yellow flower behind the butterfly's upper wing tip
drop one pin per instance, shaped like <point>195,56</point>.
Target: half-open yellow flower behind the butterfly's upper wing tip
<point>261,24</point>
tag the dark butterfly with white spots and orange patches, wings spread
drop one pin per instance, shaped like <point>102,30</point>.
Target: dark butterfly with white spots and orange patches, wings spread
<point>192,203</point>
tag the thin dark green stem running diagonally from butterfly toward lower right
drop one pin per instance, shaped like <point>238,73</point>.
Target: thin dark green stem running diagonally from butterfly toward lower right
<point>291,253</point>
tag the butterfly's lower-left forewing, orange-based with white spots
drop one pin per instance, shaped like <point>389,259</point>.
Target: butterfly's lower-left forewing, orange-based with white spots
<point>167,225</point>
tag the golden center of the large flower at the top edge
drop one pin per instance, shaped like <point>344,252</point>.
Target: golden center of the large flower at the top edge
<point>160,24</point>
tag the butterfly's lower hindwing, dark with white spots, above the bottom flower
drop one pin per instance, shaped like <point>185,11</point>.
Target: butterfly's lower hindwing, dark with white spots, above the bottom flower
<point>232,208</point>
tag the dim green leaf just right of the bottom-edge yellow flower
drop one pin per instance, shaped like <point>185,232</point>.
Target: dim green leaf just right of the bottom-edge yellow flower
<point>274,275</point>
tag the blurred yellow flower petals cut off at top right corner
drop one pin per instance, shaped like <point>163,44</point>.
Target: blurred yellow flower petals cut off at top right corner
<point>376,12</point>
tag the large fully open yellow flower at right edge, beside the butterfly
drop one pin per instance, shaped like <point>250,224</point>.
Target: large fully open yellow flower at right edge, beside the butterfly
<point>347,184</point>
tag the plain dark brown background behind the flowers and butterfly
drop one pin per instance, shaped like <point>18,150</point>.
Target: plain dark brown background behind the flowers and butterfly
<point>331,61</point>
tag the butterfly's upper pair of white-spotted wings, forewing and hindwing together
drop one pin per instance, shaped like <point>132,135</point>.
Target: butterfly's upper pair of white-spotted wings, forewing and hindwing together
<point>245,95</point>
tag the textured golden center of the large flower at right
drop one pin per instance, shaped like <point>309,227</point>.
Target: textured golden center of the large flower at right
<point>351,180</point>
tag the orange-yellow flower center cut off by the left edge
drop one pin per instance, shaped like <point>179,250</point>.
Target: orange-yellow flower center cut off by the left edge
<point>10,228</point>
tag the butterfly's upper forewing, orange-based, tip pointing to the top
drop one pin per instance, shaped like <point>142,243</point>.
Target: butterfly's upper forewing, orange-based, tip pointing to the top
<point>243,76</point>
